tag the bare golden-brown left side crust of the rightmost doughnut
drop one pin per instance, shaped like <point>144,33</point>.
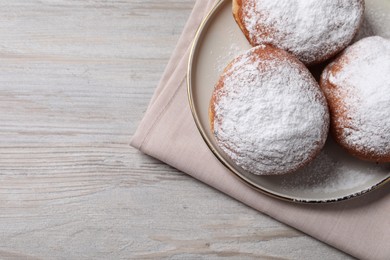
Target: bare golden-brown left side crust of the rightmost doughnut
<point>340,118</point>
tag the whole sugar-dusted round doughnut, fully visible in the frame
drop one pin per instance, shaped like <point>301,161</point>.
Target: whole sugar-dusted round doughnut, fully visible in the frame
<point>267,112</point>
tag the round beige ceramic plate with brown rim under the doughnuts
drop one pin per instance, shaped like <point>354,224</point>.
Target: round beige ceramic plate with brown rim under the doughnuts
<point>334,175</point>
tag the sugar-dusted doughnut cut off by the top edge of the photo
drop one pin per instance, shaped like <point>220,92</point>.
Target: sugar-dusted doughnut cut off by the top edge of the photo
<point>313,30</point>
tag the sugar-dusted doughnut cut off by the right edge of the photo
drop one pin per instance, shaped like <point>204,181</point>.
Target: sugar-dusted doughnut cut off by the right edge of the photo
<point>357,87</point>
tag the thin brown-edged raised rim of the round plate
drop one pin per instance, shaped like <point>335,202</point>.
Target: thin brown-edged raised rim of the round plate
<point>234,172</point>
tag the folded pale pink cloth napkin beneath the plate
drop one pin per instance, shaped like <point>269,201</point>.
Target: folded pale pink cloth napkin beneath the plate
<point>360,227</point>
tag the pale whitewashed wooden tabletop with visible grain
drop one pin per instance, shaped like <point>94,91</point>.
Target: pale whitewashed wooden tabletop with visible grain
<point>76,77</point>
